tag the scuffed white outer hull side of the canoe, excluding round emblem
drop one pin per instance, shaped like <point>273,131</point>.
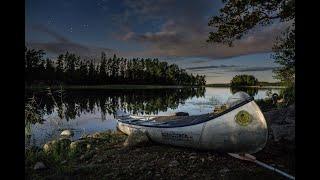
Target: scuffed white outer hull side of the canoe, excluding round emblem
<point>222,133</point>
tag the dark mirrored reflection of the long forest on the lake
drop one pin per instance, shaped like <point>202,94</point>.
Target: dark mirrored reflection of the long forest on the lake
<point>72,103</point>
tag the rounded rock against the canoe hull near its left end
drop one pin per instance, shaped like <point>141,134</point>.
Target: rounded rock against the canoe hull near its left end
<point>136,138</point>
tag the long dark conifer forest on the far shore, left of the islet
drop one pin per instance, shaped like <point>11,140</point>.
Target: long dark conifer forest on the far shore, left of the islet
<point>69,68</point>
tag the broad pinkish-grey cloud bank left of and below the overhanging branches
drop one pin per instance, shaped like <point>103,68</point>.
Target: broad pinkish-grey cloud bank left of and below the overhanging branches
<point>177,43</point>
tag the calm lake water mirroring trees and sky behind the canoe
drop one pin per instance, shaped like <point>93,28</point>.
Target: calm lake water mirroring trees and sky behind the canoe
<point>89,111</point>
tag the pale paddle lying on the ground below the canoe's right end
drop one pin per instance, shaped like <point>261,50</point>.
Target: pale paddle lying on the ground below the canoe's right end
<point>248,157</point>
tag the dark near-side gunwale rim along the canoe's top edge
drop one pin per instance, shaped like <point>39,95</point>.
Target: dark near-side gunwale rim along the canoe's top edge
<point>248,100</point>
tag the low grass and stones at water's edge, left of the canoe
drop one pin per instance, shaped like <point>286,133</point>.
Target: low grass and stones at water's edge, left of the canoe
<point>62,156</point>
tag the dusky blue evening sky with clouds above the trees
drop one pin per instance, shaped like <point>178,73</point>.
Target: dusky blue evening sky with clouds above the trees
<point>170,30</point>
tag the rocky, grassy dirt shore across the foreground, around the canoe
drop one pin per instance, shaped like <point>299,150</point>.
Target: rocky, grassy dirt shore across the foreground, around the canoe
<point>103,155</point>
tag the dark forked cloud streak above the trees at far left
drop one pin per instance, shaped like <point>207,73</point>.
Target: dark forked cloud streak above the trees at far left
<point>63,44</point>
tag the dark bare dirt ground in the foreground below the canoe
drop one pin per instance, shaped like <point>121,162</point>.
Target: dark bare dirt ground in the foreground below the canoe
<point>155,161</point>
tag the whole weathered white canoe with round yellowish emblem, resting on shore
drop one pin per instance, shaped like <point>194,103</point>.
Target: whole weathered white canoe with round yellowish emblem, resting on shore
<point>240,128</point>
